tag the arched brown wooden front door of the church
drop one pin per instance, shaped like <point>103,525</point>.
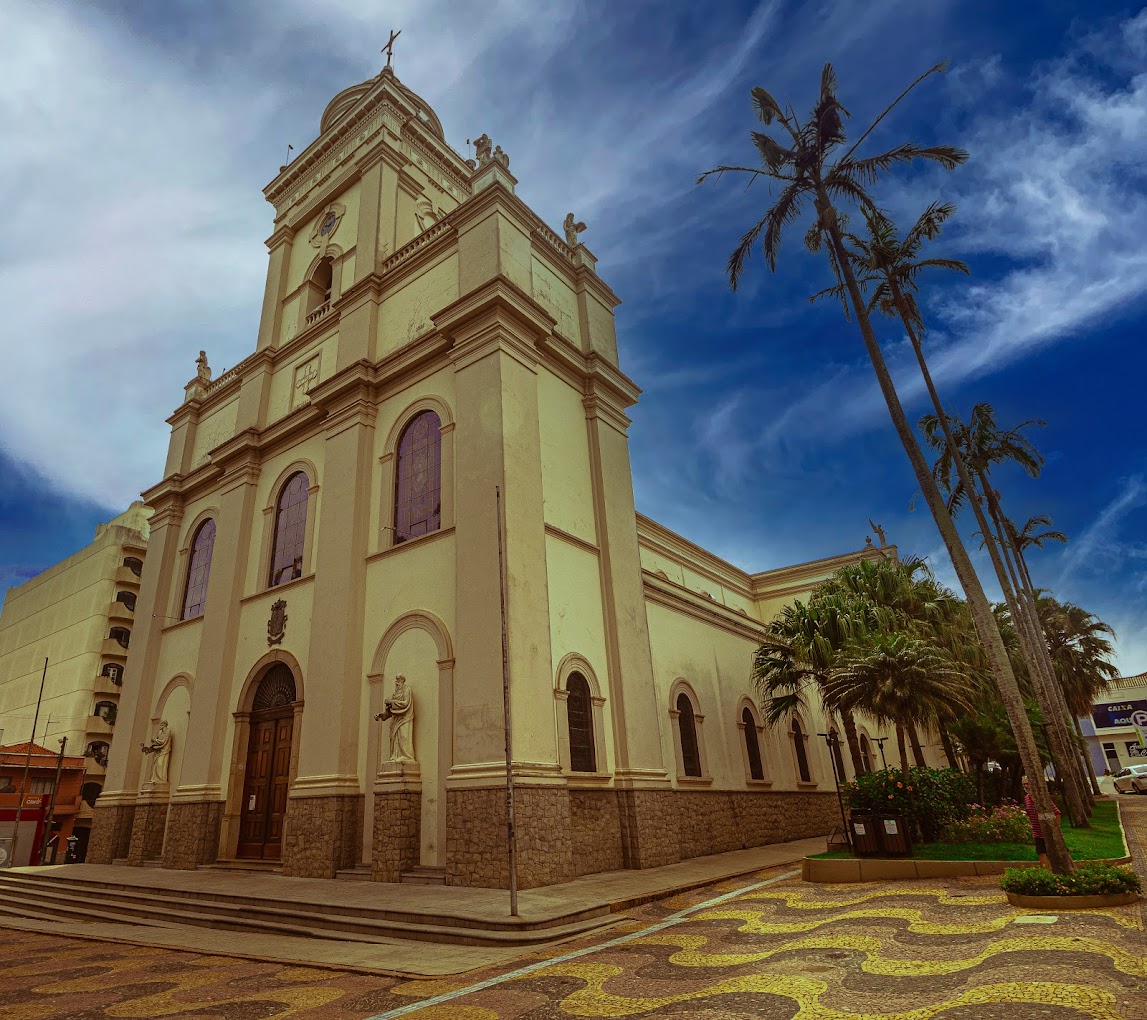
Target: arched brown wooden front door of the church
<point>268,773</point>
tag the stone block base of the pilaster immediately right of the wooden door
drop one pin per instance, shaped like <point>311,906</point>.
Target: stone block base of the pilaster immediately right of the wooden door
<point>322,836</point>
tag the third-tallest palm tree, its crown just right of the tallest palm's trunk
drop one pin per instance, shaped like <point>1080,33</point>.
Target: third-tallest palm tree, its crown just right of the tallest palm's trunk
<point>979,446</point>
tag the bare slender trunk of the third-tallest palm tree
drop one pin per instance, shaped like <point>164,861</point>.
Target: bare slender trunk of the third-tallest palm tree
<point>1043,675</point>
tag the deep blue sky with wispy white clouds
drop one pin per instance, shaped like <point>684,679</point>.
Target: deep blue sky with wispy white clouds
<point>138,138</point>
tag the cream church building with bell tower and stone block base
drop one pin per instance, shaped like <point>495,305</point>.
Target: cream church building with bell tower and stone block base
<point>319,656</point>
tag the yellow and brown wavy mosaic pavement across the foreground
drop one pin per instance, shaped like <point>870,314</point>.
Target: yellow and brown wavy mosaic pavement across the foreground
<point>892,951</point>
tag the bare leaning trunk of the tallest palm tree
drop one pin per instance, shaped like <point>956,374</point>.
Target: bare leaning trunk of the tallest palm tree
<point>978,602</point>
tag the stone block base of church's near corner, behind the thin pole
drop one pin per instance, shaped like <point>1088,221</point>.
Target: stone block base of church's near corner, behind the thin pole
<point>477,837</point>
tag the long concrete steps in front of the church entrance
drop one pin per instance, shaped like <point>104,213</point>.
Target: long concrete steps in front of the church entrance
<point>34,896</point>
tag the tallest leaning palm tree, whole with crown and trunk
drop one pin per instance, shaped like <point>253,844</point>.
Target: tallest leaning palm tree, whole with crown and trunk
<point>809,170</point>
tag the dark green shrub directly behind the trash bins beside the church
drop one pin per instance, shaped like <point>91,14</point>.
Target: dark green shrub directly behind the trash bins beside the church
<point>932,799</point>
